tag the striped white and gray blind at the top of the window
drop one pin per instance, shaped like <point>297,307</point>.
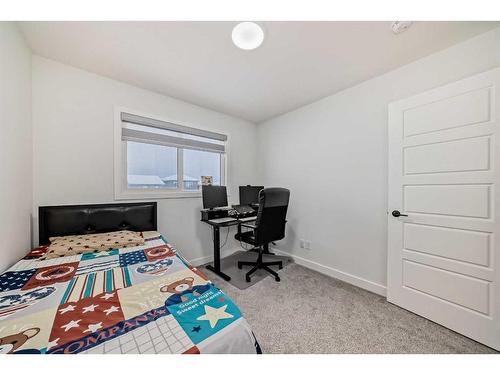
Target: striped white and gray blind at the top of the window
<point>147,130</point>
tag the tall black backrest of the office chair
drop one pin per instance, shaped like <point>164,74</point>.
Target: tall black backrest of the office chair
<point>271,217</point>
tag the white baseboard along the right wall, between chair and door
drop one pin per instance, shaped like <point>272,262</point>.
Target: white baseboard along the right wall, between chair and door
<point>332,272</point>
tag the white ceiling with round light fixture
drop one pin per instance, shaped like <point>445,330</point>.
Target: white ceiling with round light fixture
<point>298,62</point>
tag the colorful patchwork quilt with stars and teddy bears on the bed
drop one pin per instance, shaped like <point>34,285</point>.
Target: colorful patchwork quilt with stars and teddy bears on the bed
<point>144,299</point>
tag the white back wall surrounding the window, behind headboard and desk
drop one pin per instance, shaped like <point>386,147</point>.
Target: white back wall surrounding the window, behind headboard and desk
<point>73,147</point>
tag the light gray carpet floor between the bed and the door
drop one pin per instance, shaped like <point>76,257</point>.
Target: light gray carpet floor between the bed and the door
<point>308,312</point>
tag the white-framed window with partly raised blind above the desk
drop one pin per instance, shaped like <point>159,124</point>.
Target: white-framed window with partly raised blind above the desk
<point>155,159</point>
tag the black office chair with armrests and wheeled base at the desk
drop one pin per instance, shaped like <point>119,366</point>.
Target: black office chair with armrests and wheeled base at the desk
<point>268,227</point>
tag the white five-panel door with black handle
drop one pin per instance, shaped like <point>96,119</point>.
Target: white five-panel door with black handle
<point>443,258</point>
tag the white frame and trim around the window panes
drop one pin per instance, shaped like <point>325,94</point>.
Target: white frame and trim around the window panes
<point>121,189</point>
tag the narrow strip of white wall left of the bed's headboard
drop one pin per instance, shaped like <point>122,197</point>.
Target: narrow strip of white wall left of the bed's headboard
<point>15,145</point>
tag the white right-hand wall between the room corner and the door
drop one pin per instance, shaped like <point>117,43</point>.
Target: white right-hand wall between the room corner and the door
<point>332,154</point>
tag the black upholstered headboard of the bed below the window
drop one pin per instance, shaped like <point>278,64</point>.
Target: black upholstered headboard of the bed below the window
<point>94,218</point>
